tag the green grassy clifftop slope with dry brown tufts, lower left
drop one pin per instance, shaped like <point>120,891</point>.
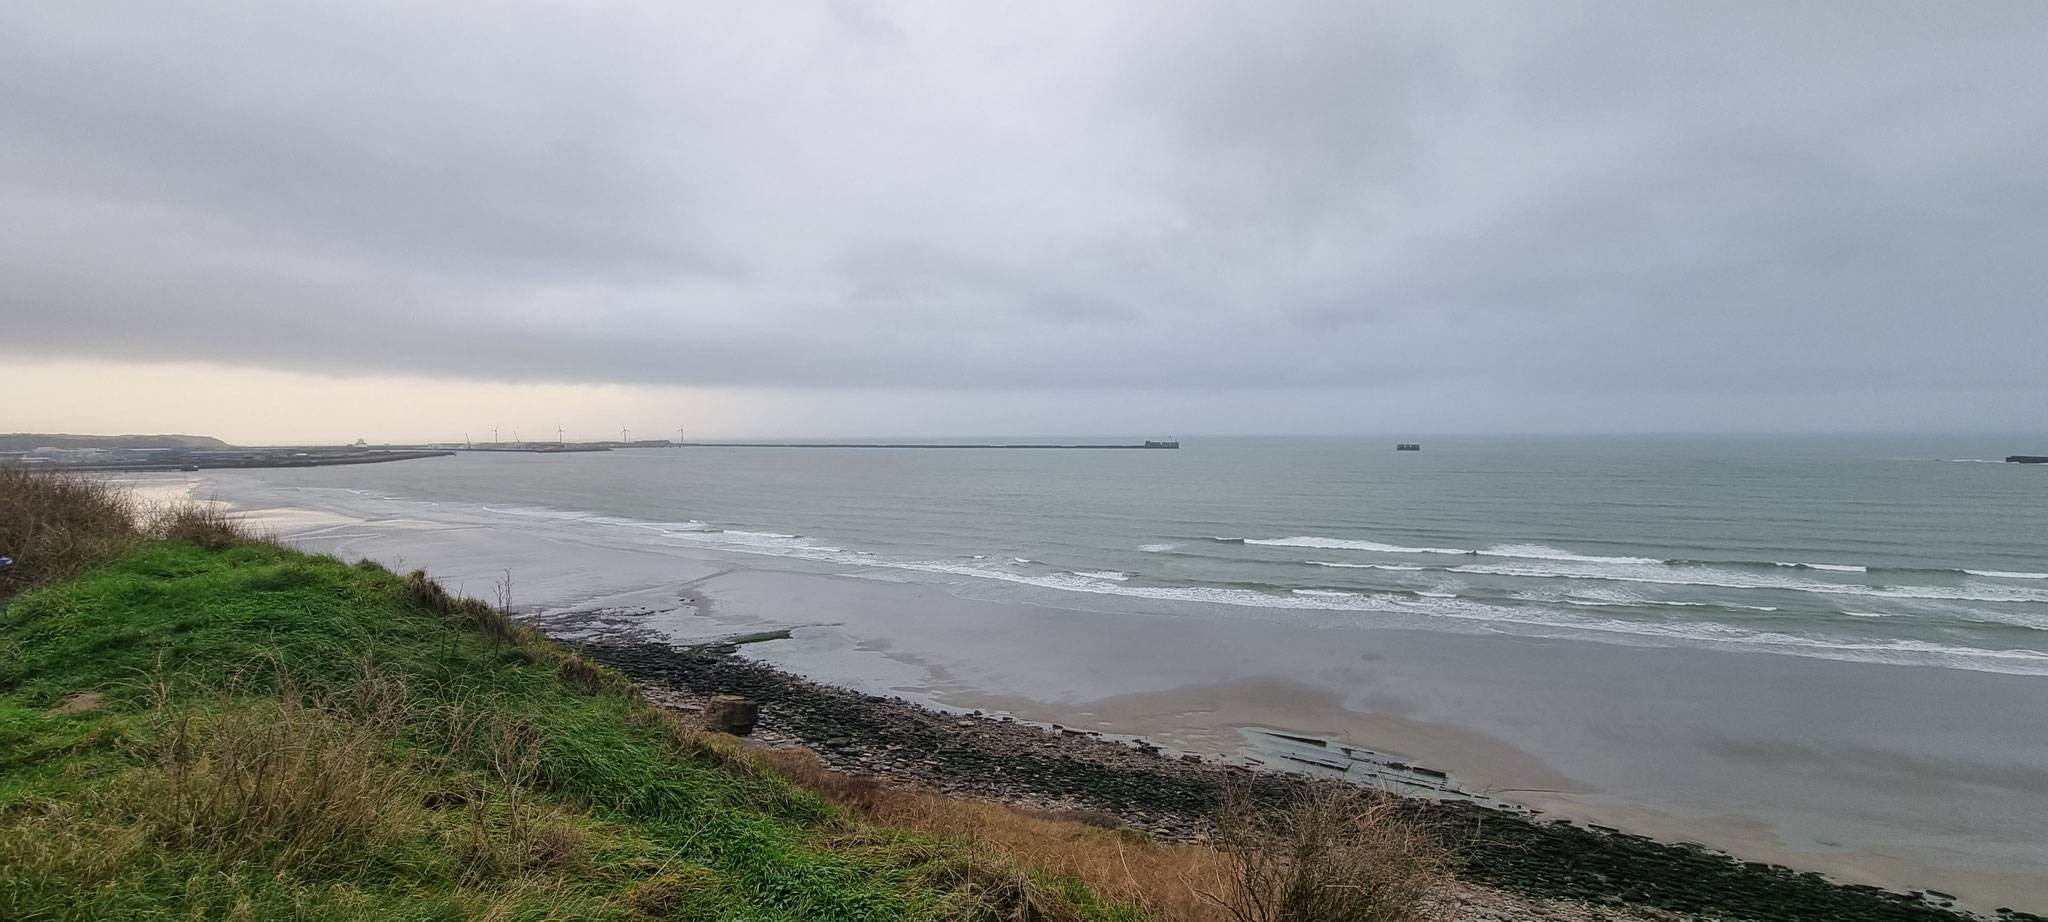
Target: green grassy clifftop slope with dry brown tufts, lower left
<point>259,735</point>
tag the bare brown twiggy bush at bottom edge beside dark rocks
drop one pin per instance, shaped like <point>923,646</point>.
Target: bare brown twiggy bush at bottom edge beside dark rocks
<point>1334,855</point>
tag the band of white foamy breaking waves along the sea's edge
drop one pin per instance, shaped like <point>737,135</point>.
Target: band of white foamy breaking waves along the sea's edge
<point>1570,595</point>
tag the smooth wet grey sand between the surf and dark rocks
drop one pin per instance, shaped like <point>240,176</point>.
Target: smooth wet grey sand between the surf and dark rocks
<point>1897,778</point>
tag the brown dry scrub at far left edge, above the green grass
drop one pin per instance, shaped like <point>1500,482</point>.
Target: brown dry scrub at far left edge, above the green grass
<point>56,526</point>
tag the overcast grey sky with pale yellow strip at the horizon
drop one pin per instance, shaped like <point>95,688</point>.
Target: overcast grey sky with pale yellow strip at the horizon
<point>404,220</point>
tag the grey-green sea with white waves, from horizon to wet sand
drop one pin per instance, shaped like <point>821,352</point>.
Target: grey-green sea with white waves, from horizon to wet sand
<point>1895,550</point>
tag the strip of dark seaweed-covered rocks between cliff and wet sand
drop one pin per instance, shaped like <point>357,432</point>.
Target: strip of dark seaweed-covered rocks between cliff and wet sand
<point>1175,796</point>
